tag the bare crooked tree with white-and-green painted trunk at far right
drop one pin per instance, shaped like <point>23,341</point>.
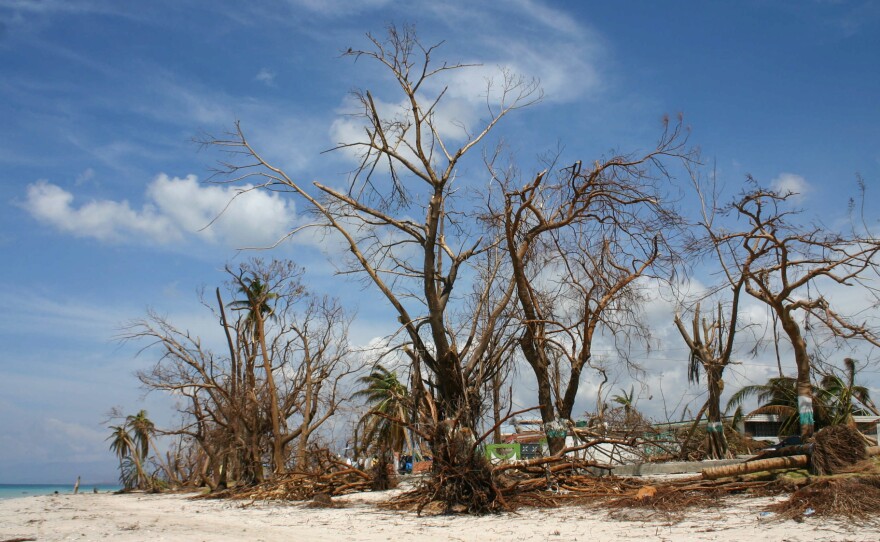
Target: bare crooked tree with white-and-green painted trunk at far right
<point>785,264</point>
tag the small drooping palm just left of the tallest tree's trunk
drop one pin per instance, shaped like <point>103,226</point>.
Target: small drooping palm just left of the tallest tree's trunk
<point>390,405</point>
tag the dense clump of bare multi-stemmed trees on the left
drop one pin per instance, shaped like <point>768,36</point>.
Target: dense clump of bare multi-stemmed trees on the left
<point>302,348</point>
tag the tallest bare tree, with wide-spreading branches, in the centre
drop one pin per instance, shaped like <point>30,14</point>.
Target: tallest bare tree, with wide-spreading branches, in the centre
<point>408,170</point>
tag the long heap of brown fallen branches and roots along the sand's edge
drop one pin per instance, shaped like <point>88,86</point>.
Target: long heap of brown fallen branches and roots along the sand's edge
<point>463,481</point>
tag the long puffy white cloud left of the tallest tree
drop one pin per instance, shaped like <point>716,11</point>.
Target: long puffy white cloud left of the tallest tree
<point>177,209</point>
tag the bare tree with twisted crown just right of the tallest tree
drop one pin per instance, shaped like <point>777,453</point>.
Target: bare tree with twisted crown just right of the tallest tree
<point>578,246</point>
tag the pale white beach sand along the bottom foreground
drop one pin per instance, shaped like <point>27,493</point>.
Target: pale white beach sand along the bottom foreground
<point>178,517</point>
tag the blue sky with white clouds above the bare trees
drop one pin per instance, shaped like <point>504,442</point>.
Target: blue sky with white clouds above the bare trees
<point>102,192</point>
